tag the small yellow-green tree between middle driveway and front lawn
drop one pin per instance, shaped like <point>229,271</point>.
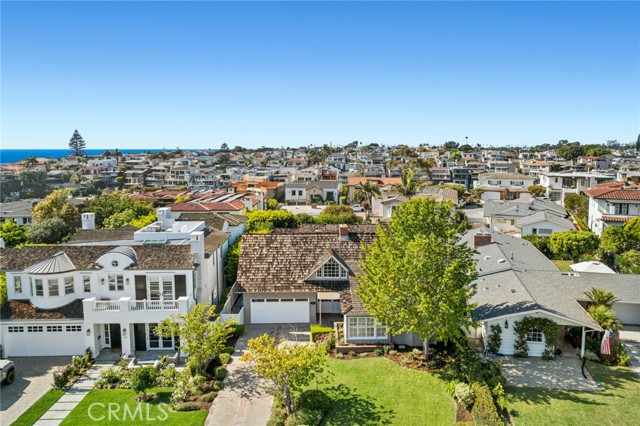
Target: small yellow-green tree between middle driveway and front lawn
<point>286,367</point>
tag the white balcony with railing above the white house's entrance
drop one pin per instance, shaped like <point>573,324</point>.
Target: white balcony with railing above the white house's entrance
<point>133,310</point>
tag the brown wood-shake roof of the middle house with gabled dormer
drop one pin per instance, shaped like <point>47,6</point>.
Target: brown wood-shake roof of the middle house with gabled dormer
<point>280,262</point>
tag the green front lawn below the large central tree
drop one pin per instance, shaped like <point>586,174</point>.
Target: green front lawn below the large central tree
<point>374,391</point>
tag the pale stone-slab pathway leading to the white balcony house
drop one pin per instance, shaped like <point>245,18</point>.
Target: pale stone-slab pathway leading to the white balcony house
<point>76,393</point>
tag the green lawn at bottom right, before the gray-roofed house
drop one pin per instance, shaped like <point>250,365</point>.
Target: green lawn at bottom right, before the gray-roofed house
<point>618,404</point>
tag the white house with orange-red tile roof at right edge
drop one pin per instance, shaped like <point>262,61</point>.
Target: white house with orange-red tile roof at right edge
<point>612,204</point>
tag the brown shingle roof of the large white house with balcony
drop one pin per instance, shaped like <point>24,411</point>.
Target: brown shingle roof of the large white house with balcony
<point>84,257</point>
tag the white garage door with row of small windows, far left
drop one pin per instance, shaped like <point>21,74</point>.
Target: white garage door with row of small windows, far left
<point>42,340</point>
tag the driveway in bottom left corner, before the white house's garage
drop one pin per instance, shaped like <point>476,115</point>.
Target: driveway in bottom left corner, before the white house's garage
<point>34,376</point>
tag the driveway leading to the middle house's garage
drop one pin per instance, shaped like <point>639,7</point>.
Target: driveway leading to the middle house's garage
<point>244,401</point>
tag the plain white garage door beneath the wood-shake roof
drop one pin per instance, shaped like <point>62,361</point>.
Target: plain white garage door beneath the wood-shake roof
<point>267,311</point>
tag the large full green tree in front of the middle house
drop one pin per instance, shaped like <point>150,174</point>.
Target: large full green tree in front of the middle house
<point>417,278</point>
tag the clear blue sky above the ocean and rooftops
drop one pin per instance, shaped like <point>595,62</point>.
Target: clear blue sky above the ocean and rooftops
<point>196,74</point>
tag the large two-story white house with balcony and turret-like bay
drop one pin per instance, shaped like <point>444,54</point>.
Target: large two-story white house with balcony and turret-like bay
<point>107,292</point>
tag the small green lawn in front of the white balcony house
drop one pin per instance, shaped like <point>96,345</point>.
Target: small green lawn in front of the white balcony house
<point>148,414</point>
